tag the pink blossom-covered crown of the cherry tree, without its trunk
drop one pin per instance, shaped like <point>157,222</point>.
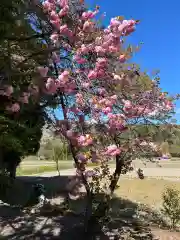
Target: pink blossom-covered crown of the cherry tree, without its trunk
<point>92,80</point>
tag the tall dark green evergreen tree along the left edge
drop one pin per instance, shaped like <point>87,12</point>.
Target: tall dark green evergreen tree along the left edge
<point>20,132</point>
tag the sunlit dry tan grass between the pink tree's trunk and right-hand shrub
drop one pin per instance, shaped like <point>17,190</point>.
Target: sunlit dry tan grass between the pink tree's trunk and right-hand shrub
<point>147,191</point>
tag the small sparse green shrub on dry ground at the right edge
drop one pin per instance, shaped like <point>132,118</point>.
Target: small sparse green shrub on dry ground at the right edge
<point>171,205</point>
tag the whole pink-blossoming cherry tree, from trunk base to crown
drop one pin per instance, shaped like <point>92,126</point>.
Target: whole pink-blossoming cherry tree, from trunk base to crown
<point>85,73</point>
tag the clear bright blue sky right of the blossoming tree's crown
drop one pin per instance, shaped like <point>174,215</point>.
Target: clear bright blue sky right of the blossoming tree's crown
<point>159,30</point>
